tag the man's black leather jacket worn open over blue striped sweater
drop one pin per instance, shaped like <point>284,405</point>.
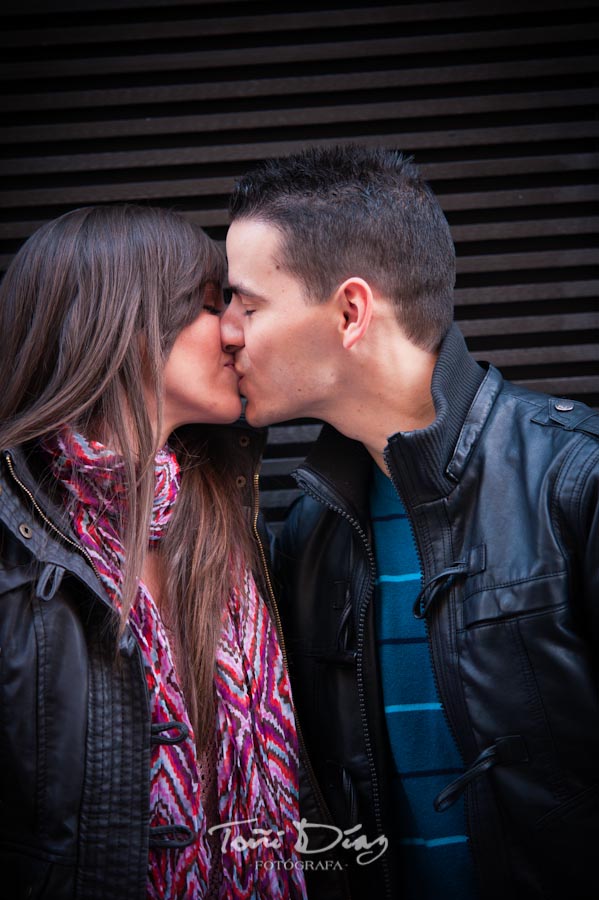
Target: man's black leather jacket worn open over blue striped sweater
<point>502,491</point>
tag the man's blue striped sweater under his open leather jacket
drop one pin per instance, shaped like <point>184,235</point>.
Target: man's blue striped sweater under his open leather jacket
<point>436,859</point>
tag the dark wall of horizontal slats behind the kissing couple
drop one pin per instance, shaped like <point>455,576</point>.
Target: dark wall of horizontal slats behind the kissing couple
<point>166,102</point>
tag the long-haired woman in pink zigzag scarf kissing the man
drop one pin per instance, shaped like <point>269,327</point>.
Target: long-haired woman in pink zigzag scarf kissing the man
<point>146,725</point>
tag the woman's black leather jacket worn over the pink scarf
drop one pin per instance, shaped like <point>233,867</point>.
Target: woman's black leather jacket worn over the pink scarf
<point>74,721</point>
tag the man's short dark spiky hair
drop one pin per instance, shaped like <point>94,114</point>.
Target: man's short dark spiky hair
<point>353,210</point>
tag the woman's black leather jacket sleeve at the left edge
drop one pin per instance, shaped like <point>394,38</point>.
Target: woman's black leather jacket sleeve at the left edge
<point>42,738</point>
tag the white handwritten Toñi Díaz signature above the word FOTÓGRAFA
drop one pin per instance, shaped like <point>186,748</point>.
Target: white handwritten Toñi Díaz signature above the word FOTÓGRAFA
<point>328,837</point>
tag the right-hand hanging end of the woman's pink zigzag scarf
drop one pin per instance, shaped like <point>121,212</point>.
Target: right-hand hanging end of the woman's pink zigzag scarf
<point>258,756</point>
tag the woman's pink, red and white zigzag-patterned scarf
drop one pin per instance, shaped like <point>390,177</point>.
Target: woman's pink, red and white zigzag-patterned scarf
<point>257,756</point>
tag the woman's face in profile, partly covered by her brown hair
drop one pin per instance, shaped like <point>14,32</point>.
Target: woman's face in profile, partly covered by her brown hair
<point>200,384</point>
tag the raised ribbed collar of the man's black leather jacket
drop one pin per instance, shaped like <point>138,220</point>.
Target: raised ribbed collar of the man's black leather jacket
<point>340,468</point>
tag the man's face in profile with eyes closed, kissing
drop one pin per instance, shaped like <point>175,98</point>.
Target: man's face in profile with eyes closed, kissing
<point>284,347</point>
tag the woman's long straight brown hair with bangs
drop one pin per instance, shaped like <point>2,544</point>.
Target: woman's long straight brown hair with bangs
<point>90,308</point>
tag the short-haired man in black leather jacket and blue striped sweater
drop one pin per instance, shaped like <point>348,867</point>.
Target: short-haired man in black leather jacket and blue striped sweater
<point>440,576</point>
